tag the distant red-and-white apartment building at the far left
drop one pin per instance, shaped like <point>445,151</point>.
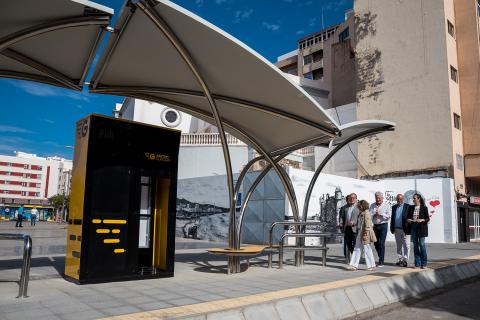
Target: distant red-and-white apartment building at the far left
<point>28,179</point>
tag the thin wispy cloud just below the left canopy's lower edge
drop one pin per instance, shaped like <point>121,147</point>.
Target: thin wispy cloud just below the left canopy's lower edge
<point>43,90</point>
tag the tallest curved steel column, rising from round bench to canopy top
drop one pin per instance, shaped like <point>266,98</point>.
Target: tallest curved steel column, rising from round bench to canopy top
<point>183,52</point>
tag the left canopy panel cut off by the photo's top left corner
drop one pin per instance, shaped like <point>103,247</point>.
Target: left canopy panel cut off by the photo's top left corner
<point>50,41</point>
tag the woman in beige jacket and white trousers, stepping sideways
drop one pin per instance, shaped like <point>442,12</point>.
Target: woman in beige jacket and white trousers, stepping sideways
<point>365,236</point>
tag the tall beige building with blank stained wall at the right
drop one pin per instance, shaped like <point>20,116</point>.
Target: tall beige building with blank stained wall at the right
<point>415,78</point>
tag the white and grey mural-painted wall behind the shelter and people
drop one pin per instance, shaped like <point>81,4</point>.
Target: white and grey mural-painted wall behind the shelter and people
<point>202,204</point>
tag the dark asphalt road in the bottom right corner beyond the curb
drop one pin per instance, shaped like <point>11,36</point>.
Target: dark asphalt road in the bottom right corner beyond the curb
<point>458,303</point>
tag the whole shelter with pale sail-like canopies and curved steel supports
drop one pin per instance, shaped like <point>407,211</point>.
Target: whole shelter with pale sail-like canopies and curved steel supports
<point>160,52</point>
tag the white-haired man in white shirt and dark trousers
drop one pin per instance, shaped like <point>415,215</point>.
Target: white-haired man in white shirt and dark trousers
<point>381,213</point>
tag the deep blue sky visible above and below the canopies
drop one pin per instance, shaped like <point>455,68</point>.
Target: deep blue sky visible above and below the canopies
<point>40,119</point>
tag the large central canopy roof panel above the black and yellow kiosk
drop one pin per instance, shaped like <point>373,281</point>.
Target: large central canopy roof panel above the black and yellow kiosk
<point>255,100</point>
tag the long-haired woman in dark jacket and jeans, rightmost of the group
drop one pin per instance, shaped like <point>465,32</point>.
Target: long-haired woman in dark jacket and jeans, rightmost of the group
<point>417,219</point>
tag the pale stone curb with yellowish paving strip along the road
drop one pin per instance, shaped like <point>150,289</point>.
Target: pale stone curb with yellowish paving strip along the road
<point>336,300</point>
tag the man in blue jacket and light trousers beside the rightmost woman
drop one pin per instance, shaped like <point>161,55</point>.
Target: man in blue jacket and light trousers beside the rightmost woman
<point>398,227</point>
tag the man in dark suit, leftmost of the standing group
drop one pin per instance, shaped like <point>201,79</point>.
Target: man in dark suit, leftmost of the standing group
<point>347,220</point>
